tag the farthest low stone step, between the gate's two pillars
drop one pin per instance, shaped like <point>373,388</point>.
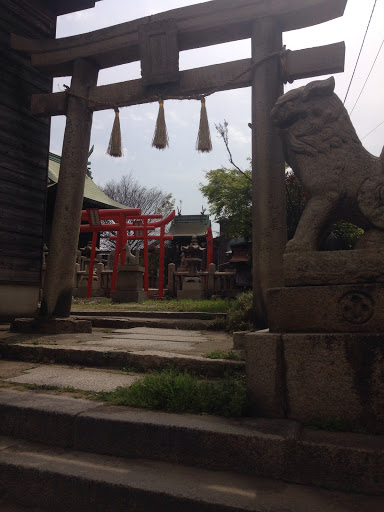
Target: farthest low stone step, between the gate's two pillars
<point>122,322</point>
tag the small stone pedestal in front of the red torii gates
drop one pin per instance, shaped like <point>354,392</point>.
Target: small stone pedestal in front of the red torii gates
<point>130,284</point>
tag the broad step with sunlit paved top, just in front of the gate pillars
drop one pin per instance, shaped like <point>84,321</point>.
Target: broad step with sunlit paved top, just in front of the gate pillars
<point>143,348</point>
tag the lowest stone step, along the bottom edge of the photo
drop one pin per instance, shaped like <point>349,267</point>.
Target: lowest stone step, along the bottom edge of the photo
<point>64,480</point>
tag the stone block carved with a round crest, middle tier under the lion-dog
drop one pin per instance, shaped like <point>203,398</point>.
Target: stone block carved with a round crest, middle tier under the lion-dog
<point>338,308</point>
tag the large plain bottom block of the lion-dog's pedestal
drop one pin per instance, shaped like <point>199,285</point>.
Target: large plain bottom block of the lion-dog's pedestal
<point>329,378</point>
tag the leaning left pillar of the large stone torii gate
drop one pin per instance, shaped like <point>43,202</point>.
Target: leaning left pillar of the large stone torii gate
<point>57,294</point>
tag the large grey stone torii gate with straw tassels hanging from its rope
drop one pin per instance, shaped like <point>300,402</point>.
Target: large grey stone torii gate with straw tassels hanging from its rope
<point>156,41</point>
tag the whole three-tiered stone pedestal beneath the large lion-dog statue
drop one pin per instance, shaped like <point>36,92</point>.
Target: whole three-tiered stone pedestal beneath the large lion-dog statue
<point>323,357</point>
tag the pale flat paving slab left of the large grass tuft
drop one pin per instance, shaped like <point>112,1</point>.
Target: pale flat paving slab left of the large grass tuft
<point>86,380</point>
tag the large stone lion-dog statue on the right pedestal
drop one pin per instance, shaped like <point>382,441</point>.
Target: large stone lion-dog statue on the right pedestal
<point>343,180</point>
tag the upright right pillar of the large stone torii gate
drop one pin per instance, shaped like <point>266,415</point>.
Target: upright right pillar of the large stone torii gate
<point>268,196</point>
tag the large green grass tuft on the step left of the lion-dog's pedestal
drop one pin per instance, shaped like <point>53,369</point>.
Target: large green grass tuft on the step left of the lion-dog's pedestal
<point>171,390</point>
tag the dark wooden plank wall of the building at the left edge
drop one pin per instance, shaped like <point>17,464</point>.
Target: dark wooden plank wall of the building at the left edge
<point>24,145</point>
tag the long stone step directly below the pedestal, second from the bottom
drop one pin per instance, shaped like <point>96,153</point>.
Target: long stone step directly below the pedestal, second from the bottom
<point>276,449</point>
